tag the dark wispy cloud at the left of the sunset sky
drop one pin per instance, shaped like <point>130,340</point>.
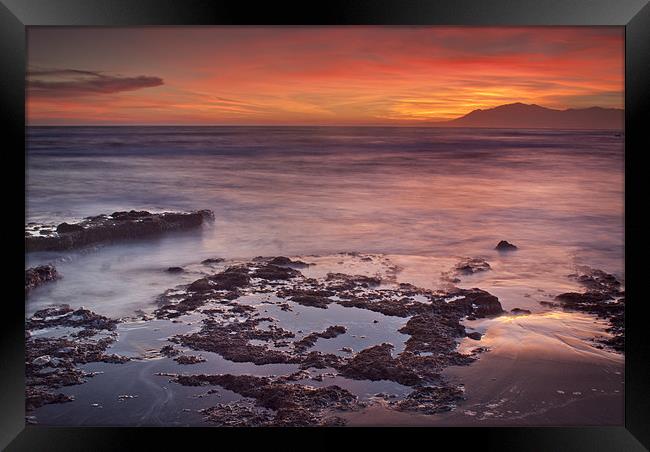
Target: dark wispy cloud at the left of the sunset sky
<point>74,83</point>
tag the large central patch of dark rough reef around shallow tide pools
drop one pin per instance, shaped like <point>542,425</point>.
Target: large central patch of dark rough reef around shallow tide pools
<point>238,333</point>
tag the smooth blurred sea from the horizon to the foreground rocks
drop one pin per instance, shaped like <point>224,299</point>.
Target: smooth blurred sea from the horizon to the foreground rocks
<point>414,192</point>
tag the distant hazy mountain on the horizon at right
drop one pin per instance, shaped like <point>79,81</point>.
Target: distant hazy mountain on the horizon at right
<point>531,116</point>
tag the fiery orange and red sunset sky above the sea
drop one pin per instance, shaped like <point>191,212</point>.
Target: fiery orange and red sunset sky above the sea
<point>313,75</point>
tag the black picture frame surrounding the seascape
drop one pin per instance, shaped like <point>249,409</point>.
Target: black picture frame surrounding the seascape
<point>16,15</point>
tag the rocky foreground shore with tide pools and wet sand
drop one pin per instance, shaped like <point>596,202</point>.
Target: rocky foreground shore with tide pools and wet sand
<point>493,367</point>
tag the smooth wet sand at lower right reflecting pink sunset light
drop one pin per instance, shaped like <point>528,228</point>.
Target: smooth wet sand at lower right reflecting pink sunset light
<point>541,369</point>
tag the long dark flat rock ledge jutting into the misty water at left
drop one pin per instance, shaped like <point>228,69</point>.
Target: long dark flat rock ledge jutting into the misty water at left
<point>115,227</point>
